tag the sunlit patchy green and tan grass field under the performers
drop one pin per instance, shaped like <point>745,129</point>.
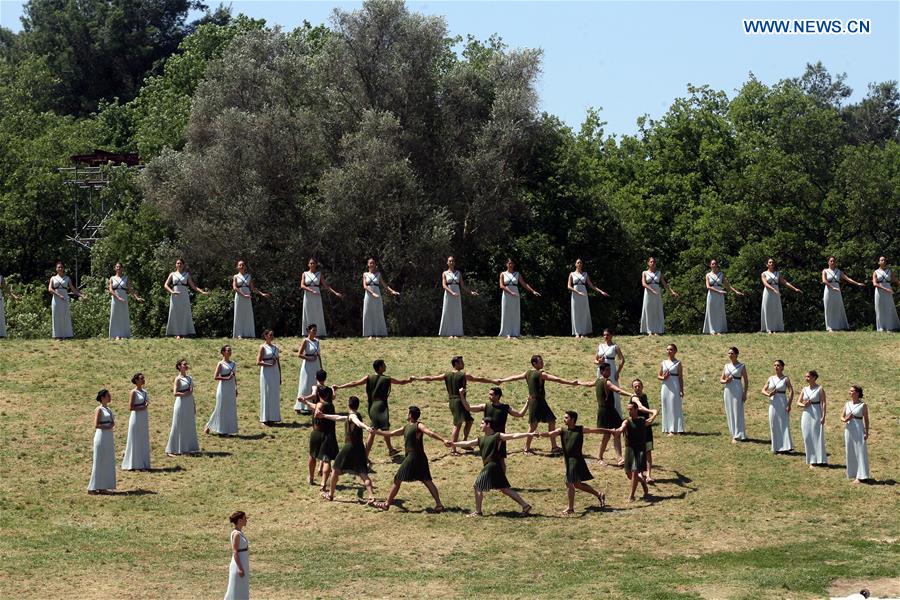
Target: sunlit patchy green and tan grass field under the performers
<point>726,521</point>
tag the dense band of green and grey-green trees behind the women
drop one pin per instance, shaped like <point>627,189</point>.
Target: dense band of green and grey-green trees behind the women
<point>382,135</point>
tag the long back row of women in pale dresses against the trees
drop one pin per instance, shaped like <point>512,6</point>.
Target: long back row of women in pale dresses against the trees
<point>179,283</point>
